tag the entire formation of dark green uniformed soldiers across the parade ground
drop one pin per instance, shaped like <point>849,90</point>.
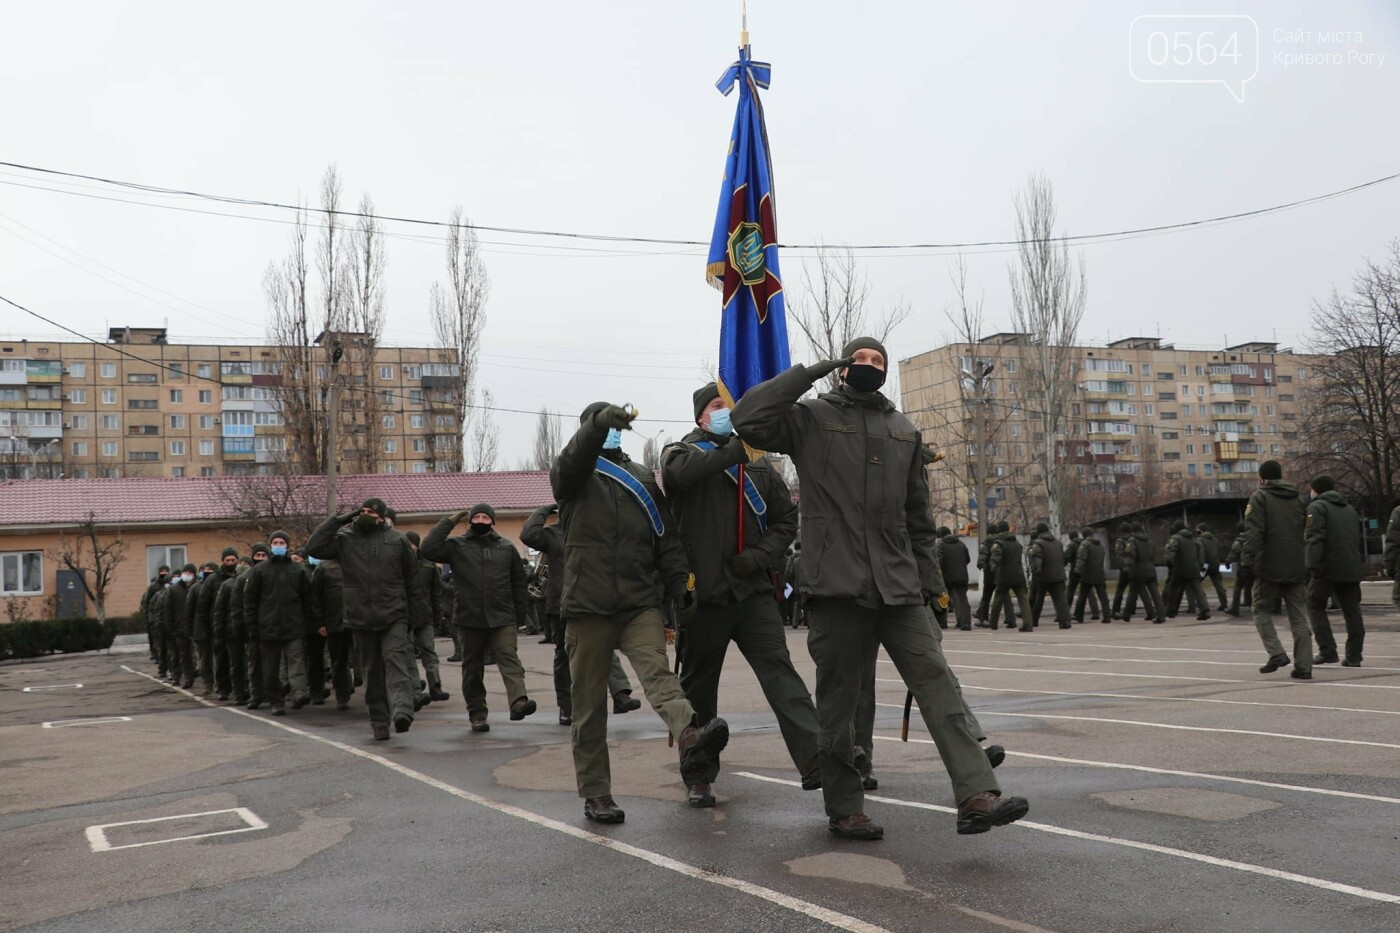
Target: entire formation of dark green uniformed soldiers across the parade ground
<point>624,557</point>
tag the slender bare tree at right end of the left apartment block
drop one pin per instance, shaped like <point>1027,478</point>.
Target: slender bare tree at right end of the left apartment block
<point>458,319</point>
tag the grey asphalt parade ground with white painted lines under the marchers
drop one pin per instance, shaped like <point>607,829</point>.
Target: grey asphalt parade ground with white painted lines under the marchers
<point>1171,785</point>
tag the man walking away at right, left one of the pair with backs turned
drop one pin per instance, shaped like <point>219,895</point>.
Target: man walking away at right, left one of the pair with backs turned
<point>1275,522</point>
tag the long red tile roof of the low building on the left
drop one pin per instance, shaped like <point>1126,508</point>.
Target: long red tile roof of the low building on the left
<point>134,501</point>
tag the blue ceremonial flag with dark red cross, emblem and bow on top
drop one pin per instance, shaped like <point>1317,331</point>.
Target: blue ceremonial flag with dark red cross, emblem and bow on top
<point>744,251</point>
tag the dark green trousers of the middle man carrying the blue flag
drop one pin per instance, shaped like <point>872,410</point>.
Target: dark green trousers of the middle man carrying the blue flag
<point>755,627</point>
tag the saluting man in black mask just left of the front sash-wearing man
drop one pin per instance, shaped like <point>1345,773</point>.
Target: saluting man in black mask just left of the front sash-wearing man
<point>491,607</point>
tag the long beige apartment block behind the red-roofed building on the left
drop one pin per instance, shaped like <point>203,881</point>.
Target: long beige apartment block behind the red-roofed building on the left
<point>139,406</point>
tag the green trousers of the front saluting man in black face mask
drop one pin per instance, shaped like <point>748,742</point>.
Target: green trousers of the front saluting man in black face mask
<point>839,641</point>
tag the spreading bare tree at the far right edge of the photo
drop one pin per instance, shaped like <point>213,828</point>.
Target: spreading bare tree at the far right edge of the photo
<point>1352,411</point>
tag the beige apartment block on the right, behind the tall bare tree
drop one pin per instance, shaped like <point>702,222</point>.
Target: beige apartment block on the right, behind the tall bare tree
<point>1147,424</point>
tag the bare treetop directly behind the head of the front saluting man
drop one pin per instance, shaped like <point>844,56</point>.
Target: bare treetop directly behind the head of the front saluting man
<point>832,310</point>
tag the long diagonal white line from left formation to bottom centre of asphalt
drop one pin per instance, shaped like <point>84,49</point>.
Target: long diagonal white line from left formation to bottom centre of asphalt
<point>817,913</point>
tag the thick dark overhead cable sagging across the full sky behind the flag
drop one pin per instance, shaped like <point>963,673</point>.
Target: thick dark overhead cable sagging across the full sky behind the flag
<point>1081,239</point>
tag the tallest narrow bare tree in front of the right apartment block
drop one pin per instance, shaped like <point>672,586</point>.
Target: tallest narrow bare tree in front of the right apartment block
<point>1048,298</point>
